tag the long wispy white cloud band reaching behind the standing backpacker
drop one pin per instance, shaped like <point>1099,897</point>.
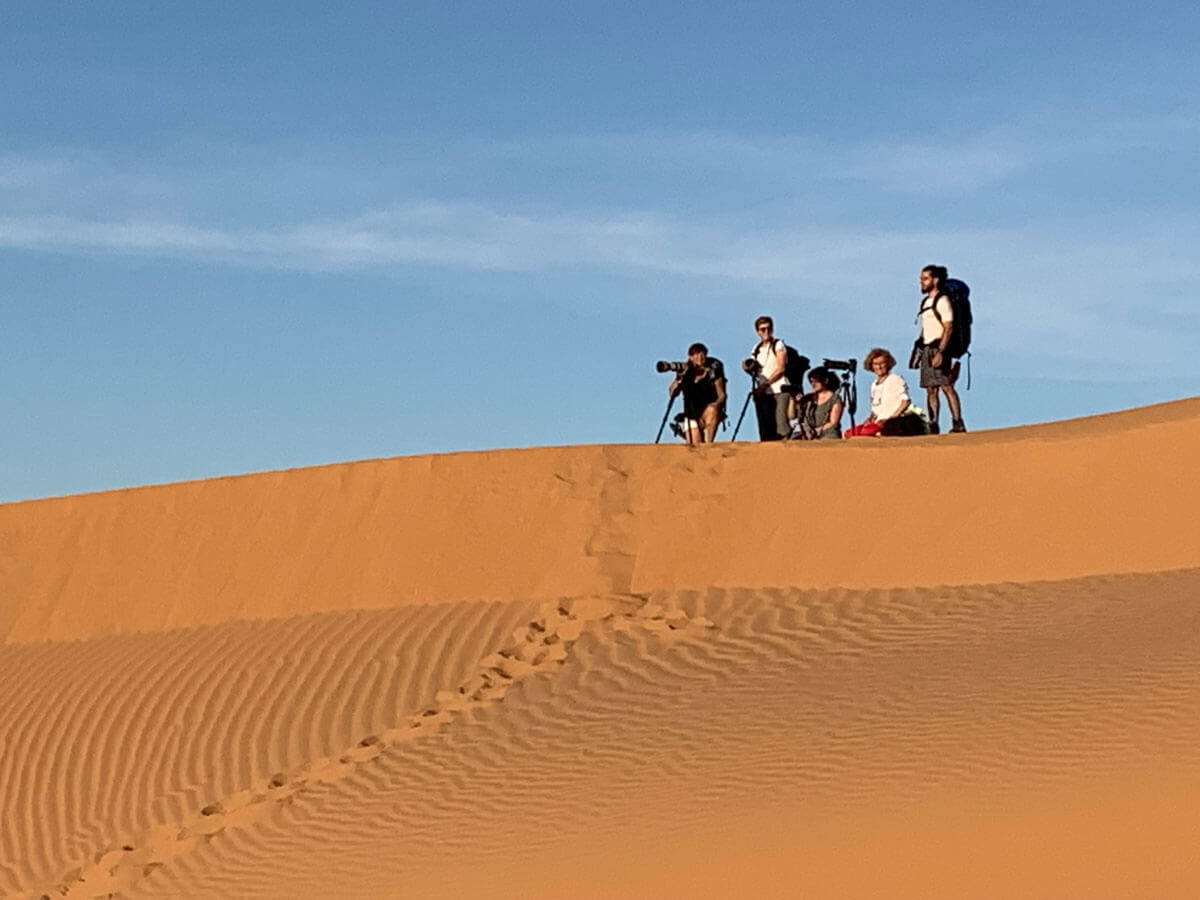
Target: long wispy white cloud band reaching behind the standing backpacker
<point>1041,287</point>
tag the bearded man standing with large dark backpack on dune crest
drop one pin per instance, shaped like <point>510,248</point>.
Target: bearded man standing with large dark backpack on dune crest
<point>945,321</point>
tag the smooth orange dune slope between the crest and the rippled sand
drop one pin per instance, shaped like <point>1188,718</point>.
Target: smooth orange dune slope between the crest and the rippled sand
<point>1087,497</point>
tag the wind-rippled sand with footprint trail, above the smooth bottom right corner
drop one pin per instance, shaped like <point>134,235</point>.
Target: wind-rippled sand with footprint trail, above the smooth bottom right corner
<point>362,753</point>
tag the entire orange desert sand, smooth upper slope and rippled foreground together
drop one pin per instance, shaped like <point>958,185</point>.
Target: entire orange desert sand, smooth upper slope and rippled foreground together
<point>619,671</point>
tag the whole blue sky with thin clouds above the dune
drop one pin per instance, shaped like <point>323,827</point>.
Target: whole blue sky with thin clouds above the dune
<point>244,237</point>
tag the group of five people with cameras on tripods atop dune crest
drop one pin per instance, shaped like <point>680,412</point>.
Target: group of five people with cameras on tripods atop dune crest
<point>784,411</point>
